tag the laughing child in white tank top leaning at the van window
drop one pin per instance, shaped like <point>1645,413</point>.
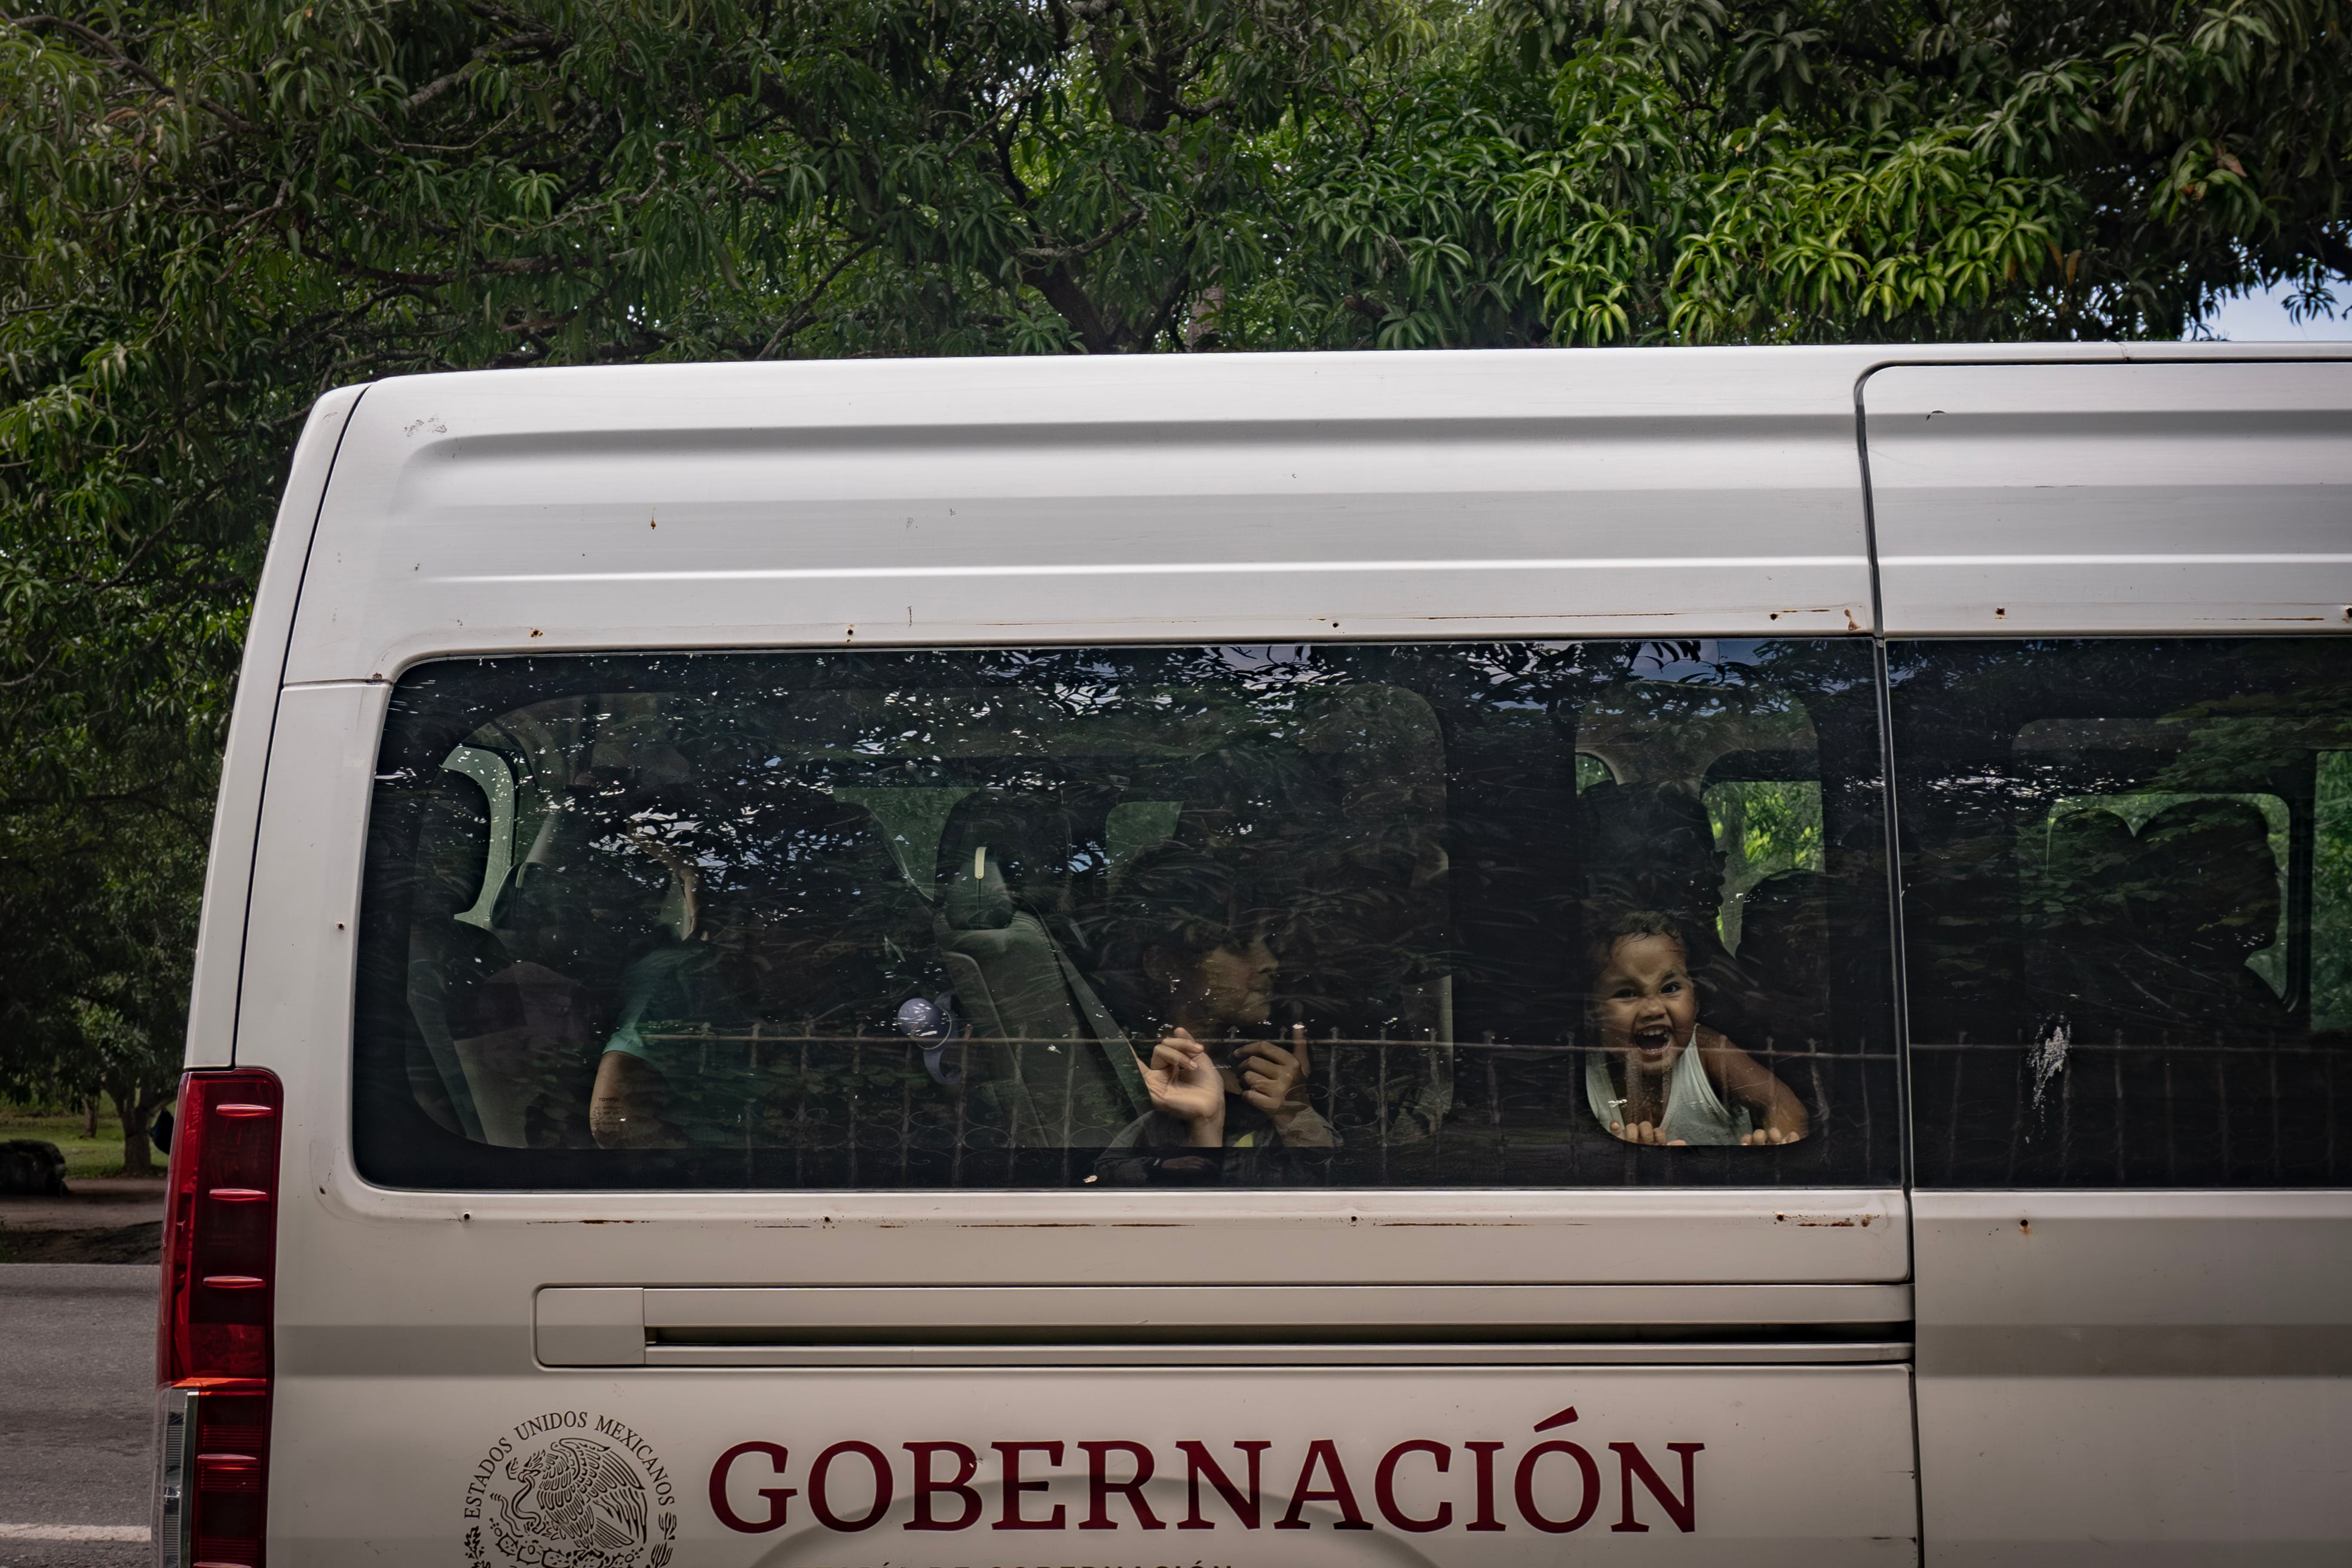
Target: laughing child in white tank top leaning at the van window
<point>1659,1076</point>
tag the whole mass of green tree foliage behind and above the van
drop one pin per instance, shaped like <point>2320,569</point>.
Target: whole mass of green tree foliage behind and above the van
<point>215,213</point>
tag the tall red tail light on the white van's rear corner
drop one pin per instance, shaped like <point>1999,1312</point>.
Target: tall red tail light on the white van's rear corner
<point>213,1336</point>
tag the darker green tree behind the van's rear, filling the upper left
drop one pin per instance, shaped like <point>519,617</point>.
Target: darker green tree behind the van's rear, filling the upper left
<point>218,213</point>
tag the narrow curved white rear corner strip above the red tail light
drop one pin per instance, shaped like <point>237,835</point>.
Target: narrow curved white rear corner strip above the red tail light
<point>213,1003</point>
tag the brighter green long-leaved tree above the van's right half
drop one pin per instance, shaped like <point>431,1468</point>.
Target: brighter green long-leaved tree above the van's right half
<point>1833,170</point>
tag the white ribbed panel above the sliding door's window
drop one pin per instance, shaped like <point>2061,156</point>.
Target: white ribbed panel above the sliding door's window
<point>2113,497</point>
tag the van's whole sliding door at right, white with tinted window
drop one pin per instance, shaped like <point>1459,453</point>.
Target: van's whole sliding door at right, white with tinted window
<point>2127,885</point>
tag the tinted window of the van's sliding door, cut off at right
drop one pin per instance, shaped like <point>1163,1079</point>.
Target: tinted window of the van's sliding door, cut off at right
<point>2127,873</point>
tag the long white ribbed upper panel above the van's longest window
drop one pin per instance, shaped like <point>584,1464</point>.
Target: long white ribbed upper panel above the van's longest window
<point>1250,497</point>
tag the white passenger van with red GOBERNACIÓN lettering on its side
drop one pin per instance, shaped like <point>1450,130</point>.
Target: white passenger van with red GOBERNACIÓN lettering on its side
<point>1469,958</point>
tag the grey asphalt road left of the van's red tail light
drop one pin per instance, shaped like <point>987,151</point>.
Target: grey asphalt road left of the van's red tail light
<point>76,1409</point>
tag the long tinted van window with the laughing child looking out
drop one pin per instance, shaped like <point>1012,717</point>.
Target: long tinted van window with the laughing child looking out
<point>1424,916</point>
